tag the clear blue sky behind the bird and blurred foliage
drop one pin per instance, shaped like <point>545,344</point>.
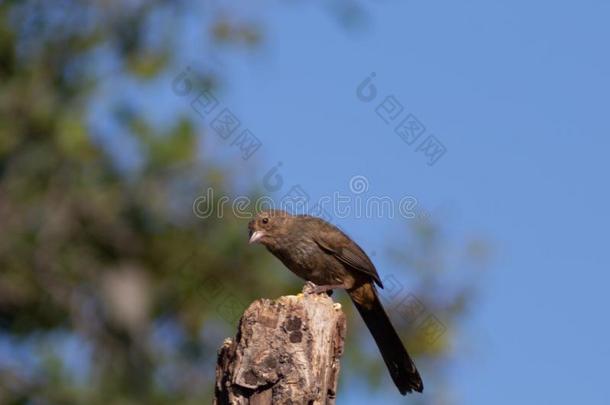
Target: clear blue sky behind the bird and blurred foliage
<point>518,92</point>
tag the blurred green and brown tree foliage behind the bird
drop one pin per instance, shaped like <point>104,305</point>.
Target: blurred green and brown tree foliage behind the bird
<point>111,290</point>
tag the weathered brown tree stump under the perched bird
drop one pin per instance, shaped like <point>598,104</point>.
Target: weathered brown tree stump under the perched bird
<point>286,352</point>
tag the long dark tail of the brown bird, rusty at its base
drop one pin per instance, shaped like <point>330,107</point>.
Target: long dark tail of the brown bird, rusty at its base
<point>399,363</point>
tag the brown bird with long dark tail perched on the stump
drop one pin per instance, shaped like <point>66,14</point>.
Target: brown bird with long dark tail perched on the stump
<point>319,252</point>
